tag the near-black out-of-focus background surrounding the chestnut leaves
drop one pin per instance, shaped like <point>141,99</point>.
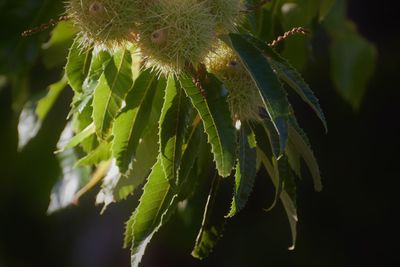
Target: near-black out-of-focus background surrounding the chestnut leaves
<point>353,222</point>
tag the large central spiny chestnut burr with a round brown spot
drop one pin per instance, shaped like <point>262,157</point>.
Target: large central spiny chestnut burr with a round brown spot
<point>175,33</point>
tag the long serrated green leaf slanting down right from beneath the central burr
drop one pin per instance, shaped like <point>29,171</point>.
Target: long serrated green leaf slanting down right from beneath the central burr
<point>214,112</point>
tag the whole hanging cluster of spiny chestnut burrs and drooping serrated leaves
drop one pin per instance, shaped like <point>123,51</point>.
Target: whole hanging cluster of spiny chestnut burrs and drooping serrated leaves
<point>171,94</point>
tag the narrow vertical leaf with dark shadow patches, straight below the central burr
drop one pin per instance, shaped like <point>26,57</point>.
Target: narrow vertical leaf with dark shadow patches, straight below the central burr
<point>173,125</point>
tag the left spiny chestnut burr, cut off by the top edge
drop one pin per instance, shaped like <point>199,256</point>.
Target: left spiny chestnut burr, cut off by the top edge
<point>103,22</point>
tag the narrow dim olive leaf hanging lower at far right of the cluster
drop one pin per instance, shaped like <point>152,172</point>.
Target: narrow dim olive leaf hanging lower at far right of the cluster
<point>301,143</point>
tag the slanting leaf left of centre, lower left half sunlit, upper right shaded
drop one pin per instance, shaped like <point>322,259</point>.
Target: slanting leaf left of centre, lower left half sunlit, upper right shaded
<point>130,124</point>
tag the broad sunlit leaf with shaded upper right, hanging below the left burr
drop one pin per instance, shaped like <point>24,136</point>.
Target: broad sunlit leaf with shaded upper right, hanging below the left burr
<point>115,82</point>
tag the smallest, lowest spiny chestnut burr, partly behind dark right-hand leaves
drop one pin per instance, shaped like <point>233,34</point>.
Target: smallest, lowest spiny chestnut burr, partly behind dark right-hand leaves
<point>244,99</point>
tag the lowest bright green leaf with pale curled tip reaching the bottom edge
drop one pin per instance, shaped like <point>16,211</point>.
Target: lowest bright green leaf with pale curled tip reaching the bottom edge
<point>156,204</point>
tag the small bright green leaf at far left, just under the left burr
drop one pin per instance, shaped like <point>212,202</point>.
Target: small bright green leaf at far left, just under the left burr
<point>77,65</point>
